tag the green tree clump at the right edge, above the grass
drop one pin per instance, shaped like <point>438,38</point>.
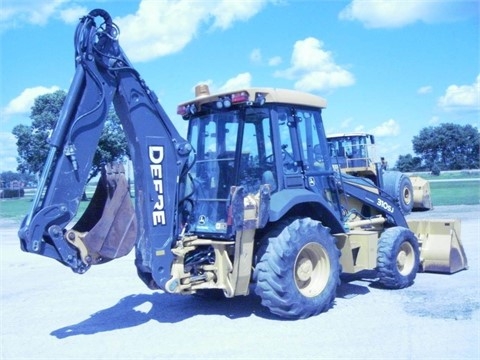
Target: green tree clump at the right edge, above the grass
<point>448,146</point>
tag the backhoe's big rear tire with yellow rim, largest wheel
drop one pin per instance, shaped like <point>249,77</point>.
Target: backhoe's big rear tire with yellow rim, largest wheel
<point>298,274</point>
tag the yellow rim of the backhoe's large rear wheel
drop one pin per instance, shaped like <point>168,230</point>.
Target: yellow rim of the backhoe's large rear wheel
<point>312,269</point>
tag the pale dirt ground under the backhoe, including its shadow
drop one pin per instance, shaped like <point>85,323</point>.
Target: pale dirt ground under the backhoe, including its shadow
<point>47,311</point>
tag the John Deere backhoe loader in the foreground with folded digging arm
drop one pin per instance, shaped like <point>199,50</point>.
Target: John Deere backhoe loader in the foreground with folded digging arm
<point>242,202</point>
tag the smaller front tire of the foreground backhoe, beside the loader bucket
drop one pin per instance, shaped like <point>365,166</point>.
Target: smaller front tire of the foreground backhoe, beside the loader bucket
<point>397,258</point>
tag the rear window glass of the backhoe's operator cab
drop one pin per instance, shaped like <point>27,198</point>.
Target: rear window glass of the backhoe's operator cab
<point>233,148</point>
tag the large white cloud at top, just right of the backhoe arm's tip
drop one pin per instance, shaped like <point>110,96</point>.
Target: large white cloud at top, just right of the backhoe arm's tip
<point>159,28</point>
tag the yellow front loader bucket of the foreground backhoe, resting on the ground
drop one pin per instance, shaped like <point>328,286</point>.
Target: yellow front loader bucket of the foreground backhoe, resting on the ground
<point>441,248</point>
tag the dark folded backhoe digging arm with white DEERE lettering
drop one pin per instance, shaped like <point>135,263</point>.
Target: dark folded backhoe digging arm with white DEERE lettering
<point>104,76</point>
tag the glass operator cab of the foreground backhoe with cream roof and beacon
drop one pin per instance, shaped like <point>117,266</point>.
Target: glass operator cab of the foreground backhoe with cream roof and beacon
<point>249,138</point>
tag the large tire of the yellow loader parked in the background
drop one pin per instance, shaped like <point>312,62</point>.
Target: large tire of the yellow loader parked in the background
<point>400,187</point>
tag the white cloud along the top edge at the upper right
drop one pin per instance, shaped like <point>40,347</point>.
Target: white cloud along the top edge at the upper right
<point>395,14</point>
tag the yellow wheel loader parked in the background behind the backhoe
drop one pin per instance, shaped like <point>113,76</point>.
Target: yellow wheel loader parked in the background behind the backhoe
<point>355,154</point>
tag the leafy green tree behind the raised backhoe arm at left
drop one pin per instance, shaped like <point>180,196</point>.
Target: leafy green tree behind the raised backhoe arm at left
<point>32,141</point>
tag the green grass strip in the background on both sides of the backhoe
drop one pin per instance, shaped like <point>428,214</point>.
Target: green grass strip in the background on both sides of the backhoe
<point>466,192</point>
